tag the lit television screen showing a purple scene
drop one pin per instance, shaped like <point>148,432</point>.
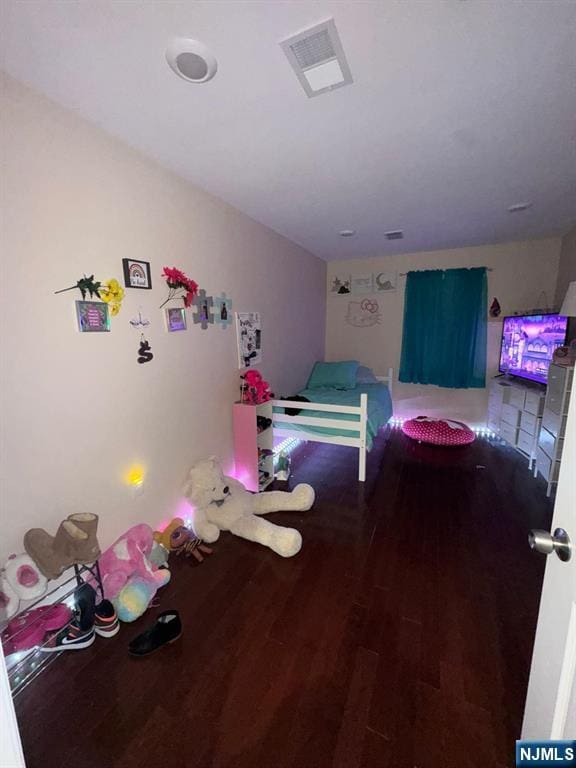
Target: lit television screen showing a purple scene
<point>528,343</point>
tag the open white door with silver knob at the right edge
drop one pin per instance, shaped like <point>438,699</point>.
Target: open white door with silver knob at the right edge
<point>551,702</point>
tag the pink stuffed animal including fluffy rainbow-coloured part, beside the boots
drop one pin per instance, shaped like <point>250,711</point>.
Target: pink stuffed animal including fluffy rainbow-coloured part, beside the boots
<point>126,562</point>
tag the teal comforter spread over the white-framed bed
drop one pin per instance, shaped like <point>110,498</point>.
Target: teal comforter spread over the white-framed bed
<point>379,410</point>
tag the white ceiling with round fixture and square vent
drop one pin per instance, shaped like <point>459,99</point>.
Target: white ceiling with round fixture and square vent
<point>458,110</point>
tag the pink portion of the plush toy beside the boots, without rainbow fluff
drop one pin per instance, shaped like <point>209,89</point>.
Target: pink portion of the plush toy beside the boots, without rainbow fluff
<point>127,559</point>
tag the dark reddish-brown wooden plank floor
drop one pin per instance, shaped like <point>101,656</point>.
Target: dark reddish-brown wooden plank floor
<point>400,636</point>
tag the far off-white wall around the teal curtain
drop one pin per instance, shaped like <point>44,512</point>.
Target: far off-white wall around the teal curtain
<point>521,271</point>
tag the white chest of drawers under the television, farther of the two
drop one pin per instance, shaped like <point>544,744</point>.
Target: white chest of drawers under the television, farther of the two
<point>515,414</point>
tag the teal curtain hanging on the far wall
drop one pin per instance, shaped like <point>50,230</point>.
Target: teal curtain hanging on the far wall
<point>444,335</point>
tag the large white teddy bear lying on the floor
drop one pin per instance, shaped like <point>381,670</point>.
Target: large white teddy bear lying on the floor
<point>223,504</point>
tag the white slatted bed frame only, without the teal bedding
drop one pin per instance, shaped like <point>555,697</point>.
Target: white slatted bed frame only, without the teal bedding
<point>301,420</point>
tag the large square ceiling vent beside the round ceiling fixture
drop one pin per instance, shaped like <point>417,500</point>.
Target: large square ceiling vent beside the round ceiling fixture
<point>317,57</point>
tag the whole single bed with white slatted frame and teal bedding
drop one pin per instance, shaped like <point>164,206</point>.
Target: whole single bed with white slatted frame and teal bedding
<point>350,417</point>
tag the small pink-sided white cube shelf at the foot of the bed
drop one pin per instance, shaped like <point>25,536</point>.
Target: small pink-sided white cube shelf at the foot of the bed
<point>253,446</point>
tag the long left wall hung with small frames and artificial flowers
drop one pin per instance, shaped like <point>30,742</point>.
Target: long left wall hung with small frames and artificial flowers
<point>77,409</point>
